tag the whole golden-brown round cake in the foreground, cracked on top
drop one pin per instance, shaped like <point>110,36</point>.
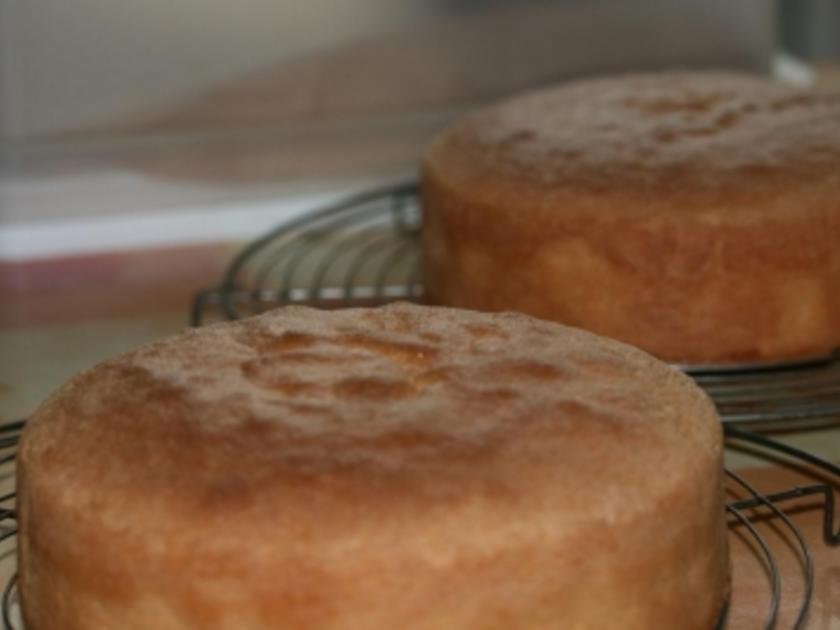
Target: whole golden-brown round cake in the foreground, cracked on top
<point>403,467</point>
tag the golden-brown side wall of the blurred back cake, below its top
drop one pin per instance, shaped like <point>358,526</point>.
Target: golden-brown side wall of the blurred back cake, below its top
<point>690,289</point>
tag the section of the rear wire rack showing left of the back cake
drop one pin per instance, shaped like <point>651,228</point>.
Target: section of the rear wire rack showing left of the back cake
<point>362,251</point>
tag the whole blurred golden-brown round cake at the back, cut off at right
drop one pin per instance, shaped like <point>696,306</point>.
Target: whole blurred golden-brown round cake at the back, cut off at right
<point>695,215</point>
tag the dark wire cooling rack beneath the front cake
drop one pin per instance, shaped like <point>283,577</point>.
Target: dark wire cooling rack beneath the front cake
<point>751,507</point>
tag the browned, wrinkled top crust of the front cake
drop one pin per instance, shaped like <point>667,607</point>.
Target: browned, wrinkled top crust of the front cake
<point>388,409</point>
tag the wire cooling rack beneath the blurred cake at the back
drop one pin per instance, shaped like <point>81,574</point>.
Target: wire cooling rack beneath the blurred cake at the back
<point>366,250</point>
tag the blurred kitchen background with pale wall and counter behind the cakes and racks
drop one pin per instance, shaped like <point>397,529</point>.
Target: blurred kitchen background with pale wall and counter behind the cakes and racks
<point>142,141</point>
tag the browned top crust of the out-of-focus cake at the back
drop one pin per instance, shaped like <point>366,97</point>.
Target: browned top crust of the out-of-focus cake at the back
<point>698,132</point>
